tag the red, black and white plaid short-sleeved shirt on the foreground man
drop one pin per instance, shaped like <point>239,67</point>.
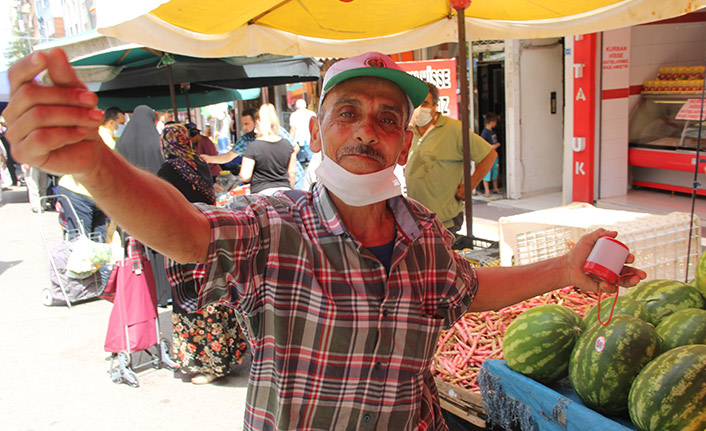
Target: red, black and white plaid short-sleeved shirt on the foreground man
<point>336,343</point>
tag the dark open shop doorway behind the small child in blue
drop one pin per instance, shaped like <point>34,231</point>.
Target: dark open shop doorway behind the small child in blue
<point>490,97</point>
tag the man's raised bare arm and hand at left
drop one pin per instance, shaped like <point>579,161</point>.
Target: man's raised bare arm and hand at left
<point>55,128</point>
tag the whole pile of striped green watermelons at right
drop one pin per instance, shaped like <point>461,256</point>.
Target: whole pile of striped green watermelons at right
<point>649,361</point>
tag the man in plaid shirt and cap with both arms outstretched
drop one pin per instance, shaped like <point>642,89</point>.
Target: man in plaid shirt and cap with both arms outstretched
<point>344,290</point>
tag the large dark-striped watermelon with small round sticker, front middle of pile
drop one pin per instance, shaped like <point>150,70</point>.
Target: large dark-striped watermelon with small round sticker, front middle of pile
<point>606,360</point>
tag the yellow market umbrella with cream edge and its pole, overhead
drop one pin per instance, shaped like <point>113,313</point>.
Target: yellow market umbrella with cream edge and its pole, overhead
<point>329,28</point>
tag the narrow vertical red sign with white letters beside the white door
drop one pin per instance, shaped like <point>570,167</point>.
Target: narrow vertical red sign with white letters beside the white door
<point>584,117</point>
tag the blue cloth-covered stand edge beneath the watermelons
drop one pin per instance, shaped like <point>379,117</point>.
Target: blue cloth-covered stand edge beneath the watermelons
<point>509,397</point>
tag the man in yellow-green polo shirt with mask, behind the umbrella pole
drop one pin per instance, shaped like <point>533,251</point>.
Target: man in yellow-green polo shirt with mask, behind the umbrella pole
<point>434,171</point>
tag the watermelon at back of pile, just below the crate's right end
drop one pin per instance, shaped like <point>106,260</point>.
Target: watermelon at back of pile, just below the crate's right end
<point>664,297</point>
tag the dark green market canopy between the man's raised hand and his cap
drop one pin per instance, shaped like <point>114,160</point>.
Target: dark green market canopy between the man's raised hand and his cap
<point>127,75</point>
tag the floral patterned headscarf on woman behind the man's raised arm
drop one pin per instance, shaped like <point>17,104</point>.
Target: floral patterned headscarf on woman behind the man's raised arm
<point>178,153</point>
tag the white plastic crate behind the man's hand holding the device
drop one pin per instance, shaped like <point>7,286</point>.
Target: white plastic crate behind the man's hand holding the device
<point>659,242</point>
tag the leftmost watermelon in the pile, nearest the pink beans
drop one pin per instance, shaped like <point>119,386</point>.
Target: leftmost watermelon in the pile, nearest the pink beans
<point>539,341</point>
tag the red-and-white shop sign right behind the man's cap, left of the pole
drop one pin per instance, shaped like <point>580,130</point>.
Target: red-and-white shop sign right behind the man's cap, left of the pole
<point>441,73</point>
